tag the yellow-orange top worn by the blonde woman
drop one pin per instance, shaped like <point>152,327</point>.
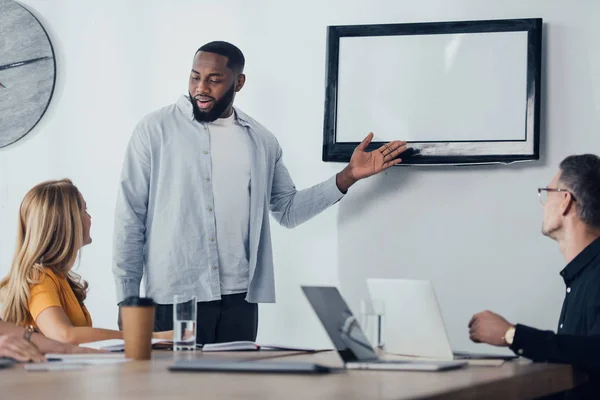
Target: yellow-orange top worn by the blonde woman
<point>54,290</point>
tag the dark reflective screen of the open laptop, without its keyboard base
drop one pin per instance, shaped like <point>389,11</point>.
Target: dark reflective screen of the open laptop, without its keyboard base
<point>339,322</point>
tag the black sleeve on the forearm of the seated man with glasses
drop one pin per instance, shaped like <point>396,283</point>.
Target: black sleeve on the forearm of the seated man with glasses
<point>547,346</point>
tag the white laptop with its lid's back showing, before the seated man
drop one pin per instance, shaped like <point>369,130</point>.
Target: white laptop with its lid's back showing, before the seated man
<point>413,323</point>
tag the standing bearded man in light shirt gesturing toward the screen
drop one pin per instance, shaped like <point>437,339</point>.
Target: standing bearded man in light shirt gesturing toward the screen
<point>199,181</point>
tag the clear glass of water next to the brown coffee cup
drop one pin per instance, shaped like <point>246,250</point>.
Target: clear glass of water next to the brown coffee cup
<point>184,323</point>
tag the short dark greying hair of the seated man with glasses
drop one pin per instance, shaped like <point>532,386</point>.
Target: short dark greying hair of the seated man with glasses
<point>581,175</point>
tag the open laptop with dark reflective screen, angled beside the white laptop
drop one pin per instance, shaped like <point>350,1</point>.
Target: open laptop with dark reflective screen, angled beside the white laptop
<point>349,339</point>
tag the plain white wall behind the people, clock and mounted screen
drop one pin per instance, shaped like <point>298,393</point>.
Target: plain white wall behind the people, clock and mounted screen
<point>473,231</point>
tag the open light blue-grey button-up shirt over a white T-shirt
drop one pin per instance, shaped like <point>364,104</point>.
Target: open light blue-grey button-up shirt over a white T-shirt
<point>165,219</point>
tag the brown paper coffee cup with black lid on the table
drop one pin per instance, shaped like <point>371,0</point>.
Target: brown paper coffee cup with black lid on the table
<point>137,317</point>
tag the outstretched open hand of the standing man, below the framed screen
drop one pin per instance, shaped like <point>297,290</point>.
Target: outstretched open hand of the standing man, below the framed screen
<point>366,163</point>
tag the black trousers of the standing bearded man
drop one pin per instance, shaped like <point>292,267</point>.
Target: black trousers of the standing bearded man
<point>230,319</point>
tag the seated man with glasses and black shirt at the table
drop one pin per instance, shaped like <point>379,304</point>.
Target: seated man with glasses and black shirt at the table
<point>572,218</point>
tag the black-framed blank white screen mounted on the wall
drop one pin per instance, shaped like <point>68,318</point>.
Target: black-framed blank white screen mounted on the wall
<point>463,92</point>
